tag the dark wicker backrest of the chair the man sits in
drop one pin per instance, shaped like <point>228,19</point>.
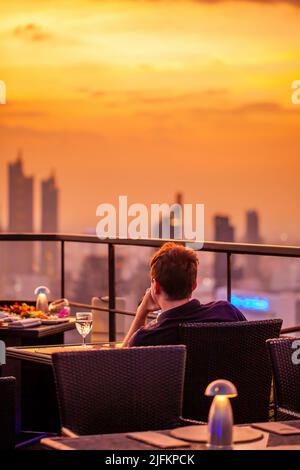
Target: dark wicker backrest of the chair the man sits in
<point>235,351</point>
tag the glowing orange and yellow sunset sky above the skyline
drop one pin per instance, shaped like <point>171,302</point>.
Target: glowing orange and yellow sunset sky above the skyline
<point>146,98</point>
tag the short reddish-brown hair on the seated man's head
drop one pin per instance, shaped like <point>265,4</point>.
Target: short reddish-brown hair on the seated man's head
<point>174,267</point>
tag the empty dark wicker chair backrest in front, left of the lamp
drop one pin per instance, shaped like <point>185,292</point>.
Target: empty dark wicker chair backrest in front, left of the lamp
<point>120,390</point>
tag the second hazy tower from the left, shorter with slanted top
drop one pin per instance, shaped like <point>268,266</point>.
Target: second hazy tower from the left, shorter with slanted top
<point>49,250</point>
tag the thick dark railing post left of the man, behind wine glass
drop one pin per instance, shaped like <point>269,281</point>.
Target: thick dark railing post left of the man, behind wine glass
<point>111,293</point>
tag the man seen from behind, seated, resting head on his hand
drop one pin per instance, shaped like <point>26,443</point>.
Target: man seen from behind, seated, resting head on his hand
<point>173,271</point>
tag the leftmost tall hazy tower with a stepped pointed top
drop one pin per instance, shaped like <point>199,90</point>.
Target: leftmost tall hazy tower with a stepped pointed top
<point>20,215</point>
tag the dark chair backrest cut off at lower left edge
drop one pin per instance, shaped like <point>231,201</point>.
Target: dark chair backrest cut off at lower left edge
<point>7,412</point>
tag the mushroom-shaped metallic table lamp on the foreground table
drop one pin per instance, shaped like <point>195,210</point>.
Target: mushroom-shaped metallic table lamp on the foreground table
<point>220,419</point>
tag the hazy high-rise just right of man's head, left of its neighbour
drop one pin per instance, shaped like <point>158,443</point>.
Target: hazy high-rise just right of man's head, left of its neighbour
<point>224,232</point>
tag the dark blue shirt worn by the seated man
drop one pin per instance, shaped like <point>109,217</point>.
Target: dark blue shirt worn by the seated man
<point>164,330</point>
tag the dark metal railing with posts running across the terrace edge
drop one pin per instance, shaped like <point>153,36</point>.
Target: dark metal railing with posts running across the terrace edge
<point>226,248</point>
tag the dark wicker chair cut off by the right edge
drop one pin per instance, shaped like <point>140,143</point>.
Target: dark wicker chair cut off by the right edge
<point>286,378</point>
